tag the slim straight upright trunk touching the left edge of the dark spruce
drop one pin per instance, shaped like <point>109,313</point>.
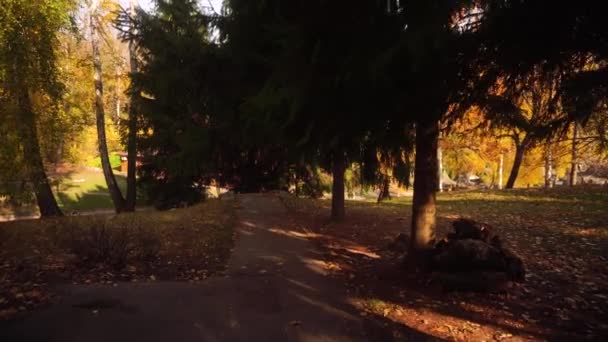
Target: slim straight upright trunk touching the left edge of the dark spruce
<point>132,134</point>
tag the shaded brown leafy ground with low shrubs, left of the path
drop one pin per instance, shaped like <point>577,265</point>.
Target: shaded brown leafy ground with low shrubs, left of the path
<point>184,244</point>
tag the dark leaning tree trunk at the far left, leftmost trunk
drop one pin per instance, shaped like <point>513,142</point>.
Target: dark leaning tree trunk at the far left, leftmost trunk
<point>47,203</point>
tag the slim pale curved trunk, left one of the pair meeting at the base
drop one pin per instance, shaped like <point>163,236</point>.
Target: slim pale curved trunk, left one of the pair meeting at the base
<point>113,189</point>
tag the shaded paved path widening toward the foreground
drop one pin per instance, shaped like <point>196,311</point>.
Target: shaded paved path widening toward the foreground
<point>275,290</point>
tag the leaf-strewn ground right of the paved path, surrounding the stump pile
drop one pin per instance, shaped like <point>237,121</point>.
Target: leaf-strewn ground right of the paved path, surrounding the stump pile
<point>561,234</point>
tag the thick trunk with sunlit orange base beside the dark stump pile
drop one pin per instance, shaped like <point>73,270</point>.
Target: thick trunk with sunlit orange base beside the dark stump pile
<point>425,187</point>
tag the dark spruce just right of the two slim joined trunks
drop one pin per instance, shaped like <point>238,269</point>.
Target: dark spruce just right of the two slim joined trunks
<point>191,109</point>
